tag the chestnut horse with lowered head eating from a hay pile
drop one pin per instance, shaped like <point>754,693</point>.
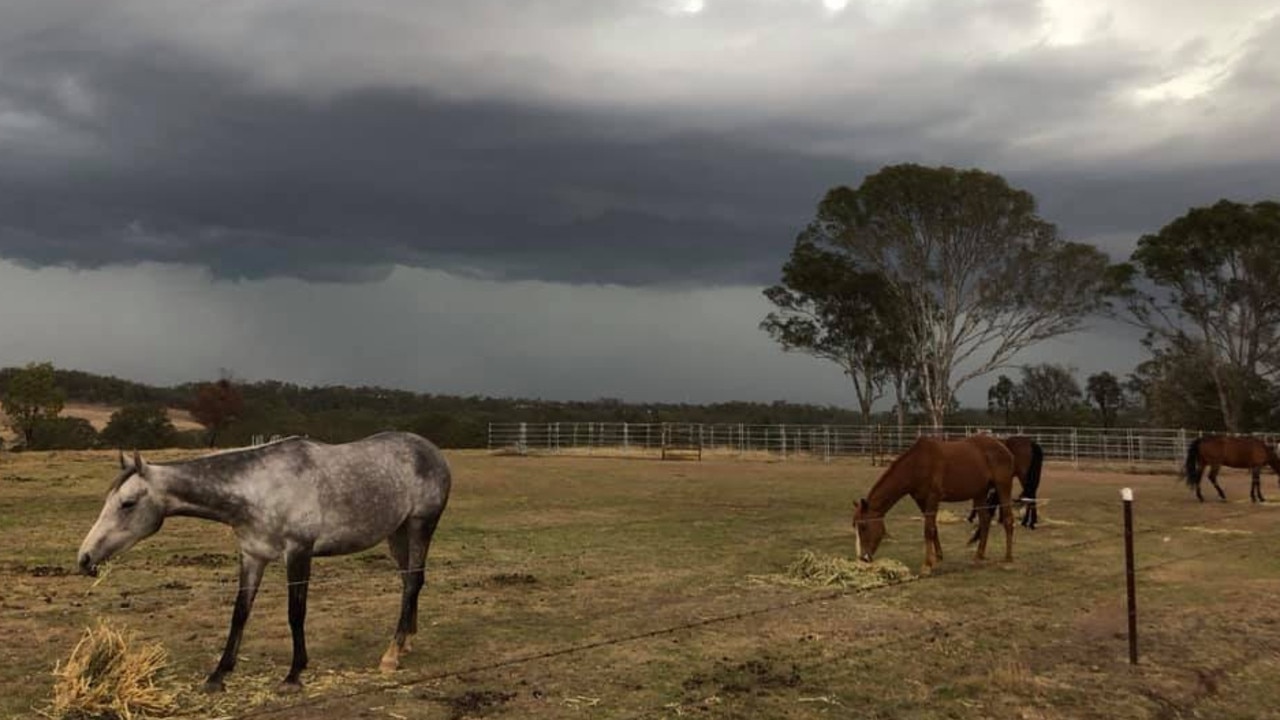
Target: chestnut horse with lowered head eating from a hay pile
<point>934,472</point>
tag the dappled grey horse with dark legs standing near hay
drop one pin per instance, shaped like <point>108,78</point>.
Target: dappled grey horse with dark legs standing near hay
<point>292,499</point>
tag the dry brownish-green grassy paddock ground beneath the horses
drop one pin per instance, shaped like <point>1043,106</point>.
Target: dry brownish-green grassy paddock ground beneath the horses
<point>584,587</point>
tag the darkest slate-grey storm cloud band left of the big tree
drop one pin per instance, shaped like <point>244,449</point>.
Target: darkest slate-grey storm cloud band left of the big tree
<point>189,166</point>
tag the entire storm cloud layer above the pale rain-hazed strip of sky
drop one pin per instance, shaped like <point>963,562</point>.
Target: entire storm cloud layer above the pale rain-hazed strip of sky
<point>171,143</point>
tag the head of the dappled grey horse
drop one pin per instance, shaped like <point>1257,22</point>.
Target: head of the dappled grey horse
<point>134,511</point>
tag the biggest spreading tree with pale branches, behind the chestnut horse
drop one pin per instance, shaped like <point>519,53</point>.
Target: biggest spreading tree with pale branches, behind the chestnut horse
<point>977,272</point>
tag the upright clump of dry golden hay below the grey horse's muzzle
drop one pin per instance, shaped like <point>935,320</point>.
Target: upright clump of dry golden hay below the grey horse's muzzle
<point>111,676</point>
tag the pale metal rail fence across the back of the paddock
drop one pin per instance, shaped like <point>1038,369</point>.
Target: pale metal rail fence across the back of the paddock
<point>1133,448</point>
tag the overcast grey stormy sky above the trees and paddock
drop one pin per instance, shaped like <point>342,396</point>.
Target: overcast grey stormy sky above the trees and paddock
<point>561,199</point>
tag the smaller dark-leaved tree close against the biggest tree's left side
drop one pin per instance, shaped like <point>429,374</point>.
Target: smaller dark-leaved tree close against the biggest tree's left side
<point>830,308</point>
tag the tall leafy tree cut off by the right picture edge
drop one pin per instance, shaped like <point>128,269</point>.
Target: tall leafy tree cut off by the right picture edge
<point>1208,286</point>
